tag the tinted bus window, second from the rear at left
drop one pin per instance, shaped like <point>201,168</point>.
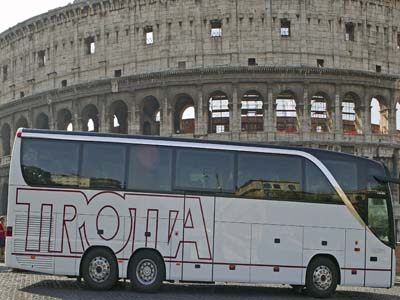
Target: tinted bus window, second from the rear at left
<point>103,166</point>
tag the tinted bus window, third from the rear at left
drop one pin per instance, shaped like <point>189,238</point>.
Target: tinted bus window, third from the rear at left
<point>150,168</point>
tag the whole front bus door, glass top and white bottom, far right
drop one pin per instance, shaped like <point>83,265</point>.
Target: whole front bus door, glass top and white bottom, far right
<point>378,263</point>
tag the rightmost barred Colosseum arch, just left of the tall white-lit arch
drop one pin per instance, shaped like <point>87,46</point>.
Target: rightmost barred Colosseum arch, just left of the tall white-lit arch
<point>350,117</point>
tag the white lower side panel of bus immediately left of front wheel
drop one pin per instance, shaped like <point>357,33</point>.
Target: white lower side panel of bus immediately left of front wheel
<point>277,254</point>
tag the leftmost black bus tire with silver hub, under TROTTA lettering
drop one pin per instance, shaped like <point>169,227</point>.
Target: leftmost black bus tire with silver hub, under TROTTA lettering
<point>100,269</point>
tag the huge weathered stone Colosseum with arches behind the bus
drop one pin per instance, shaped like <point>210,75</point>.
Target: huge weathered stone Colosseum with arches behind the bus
<point>315,73</point>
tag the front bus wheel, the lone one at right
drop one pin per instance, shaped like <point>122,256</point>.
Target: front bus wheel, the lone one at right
<point>322,277</point>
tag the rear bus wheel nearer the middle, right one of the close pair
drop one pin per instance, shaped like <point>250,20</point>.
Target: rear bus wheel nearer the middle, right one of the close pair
<point>147,271</point>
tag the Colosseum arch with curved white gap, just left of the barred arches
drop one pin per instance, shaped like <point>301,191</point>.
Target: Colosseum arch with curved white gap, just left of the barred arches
<point>184,115</point>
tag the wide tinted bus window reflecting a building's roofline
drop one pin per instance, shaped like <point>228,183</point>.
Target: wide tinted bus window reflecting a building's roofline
<point>269,176</point>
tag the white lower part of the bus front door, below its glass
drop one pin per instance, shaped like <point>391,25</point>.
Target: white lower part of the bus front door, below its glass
<point>378,262</point>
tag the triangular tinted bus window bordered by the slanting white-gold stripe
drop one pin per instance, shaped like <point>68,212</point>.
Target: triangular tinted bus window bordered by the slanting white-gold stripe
<point>317,188</point>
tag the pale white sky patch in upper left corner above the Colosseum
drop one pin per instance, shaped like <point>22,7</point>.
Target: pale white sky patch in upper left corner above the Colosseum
<point>16,11</point>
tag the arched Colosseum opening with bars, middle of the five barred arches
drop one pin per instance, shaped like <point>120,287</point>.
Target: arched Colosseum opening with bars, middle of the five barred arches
<point>286,113</point>
